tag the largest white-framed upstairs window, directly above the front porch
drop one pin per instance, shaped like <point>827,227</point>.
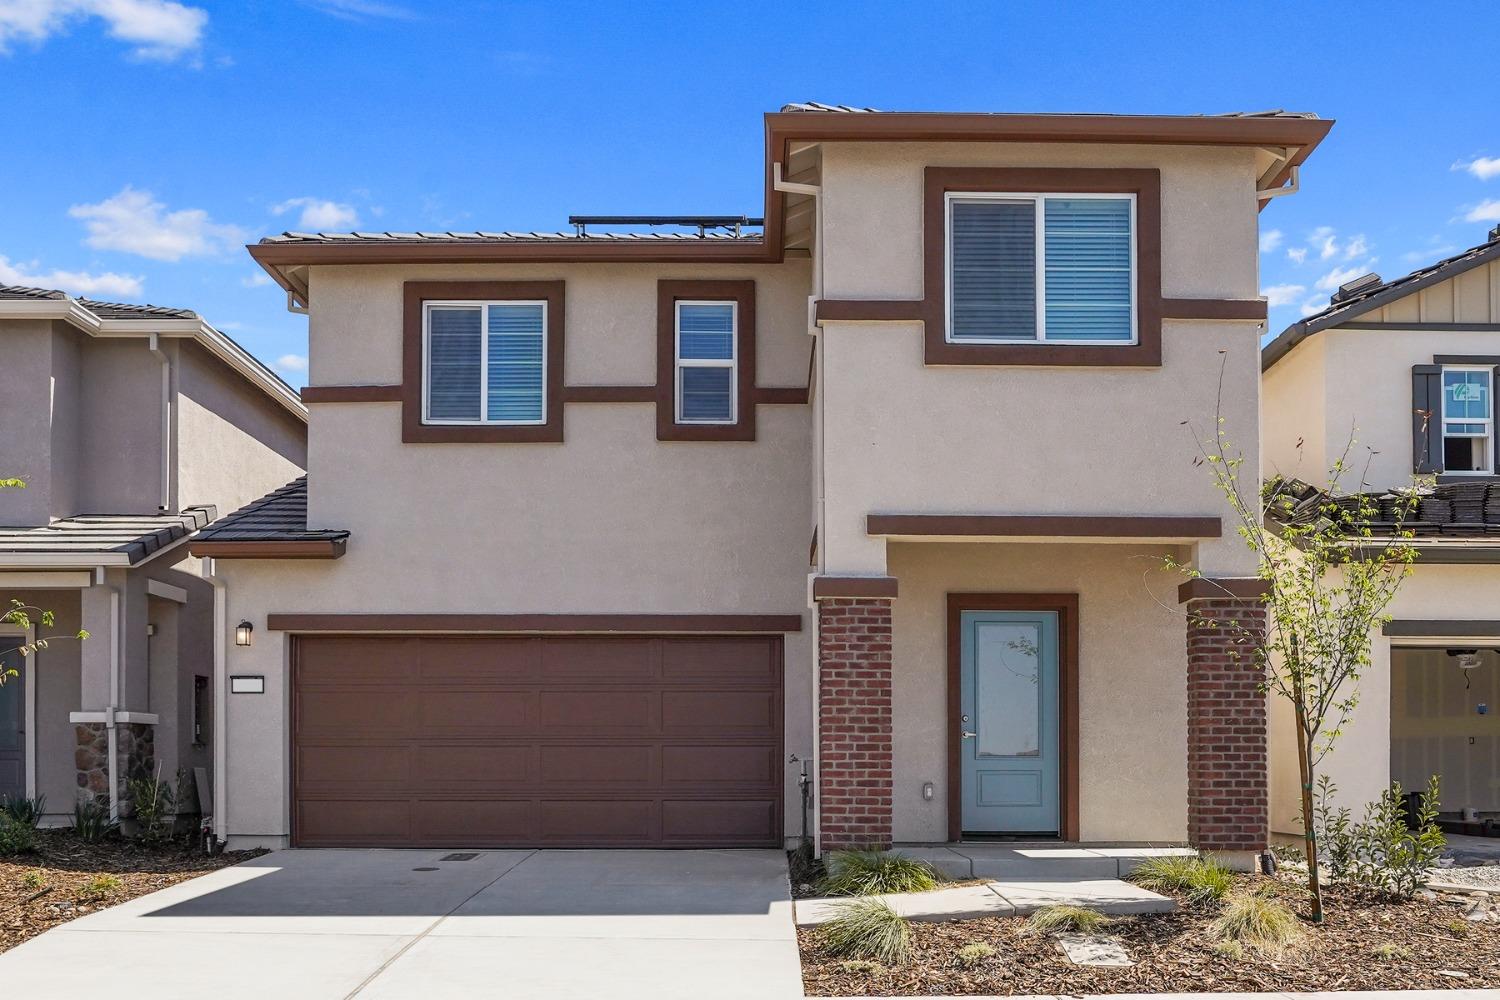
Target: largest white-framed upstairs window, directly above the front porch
<point>1055,269</point>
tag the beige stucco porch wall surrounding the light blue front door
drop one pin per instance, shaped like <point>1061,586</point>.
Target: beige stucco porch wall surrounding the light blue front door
<point>1133,777</point>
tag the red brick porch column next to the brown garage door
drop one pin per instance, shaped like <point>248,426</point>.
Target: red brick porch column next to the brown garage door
<point>854,722</point>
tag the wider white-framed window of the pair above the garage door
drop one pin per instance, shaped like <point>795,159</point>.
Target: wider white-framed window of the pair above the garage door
<point>485,362</point>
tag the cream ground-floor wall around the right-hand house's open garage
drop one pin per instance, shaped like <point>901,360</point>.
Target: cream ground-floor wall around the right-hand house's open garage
<point>1360,762</point>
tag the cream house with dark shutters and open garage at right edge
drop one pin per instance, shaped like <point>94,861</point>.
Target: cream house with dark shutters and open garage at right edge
<point>1408,370</point>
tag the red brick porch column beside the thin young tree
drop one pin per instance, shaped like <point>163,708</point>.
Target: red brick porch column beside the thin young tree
<point>1229,797</point>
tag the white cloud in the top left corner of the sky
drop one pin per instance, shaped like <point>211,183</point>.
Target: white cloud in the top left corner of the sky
<point>158,29</point>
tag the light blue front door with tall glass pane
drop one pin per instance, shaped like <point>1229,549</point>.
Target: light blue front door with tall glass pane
<point>1010,750</point>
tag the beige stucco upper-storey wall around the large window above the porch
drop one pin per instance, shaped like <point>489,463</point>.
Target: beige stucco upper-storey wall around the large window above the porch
<point>905,439</point>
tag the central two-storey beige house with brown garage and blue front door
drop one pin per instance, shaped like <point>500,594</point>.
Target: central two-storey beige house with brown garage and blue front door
<point>607,536</point>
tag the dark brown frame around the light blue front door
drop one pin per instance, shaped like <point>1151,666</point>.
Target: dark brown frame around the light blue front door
<point>1067,608</point>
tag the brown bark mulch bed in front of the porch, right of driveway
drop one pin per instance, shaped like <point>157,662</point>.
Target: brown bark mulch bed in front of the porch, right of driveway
<point>1175,954</point>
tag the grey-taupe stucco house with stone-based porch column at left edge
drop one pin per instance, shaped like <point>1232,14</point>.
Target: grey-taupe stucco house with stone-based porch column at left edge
<point>131,427</point>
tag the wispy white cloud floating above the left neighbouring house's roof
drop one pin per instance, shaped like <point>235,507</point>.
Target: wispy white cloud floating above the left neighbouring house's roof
<point>136,223</point>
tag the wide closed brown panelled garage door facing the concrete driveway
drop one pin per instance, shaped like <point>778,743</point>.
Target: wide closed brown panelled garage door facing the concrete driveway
<point>538,741</point>
